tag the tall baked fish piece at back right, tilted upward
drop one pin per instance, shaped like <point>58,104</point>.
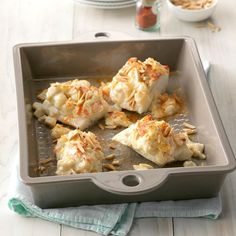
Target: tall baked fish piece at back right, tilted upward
<point>135,85</point>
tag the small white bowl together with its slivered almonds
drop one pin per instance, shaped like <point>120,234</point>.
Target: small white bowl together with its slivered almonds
<point>192,10</point>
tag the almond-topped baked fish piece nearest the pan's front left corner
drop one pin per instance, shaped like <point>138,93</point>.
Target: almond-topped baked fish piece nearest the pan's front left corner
<point>78,152</point>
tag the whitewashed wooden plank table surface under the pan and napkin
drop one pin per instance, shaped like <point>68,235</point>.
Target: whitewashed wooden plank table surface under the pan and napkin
<point>24,21</point>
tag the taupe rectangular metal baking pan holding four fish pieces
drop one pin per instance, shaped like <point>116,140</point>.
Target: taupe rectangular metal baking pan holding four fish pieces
<point>36,65</point>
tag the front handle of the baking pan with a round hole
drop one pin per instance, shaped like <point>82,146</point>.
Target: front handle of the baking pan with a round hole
<point>131,183</point>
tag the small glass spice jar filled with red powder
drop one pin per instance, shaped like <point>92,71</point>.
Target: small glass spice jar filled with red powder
<point>148,15</point>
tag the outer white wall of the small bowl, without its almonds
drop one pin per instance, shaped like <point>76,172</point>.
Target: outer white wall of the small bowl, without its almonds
<point>192,15</point>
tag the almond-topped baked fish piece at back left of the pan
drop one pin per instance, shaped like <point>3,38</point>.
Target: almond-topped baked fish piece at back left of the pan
<point>75,103</point>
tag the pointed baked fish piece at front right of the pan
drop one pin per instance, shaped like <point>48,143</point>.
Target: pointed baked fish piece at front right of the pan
<point>155,140</point>
